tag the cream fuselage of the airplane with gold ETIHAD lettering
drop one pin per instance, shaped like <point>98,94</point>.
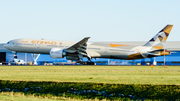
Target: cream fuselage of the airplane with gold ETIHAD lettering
<point>93,49</point>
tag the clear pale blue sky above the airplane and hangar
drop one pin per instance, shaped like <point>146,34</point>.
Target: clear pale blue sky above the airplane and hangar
<point>102,20</point>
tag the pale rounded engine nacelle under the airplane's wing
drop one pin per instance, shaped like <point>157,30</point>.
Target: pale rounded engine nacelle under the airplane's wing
<point>57,53</point>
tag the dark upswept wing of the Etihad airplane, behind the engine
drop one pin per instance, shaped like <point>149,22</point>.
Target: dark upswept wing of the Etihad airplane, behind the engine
<point>79,47</point>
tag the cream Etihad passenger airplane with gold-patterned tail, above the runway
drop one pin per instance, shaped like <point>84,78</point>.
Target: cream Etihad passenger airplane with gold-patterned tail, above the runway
<point>84,49</point>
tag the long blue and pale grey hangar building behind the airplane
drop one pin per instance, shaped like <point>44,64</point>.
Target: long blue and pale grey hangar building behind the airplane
<point>6,57</point>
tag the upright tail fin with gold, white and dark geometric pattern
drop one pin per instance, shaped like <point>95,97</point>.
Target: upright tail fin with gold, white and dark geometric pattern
<point>160,38</point>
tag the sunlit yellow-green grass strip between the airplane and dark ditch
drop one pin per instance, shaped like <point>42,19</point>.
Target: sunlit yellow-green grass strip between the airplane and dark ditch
<point>98,74</point>
